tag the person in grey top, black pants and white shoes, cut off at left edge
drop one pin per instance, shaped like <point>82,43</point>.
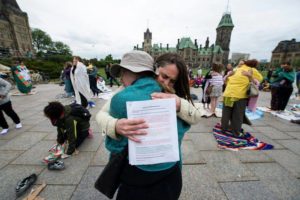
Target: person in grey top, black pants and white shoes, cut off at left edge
<point>5,105</point>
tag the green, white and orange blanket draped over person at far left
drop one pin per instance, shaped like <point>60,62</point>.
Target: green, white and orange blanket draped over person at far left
<point>22,78</point>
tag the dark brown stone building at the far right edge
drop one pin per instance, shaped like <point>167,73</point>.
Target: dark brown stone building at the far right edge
<point>286,50</point>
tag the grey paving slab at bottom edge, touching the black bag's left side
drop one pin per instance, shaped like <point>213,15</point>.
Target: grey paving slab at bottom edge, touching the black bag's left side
<point>85,189</point>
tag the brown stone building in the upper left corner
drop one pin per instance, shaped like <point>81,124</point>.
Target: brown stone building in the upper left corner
<point>15,33</point>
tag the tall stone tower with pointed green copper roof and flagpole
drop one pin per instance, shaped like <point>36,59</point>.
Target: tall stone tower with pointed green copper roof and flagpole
<point>224,30</point>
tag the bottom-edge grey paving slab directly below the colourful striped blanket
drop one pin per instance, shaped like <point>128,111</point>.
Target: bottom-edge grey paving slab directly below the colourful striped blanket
<point>250,190</point>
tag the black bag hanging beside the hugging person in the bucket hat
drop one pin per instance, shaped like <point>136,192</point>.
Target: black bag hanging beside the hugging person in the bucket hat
<point>109,179</point>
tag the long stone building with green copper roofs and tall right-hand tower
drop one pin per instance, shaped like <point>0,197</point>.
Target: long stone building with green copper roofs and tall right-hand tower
<point>194,54</point>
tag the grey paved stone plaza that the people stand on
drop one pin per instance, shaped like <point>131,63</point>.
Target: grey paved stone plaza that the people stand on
<point>208,172</point>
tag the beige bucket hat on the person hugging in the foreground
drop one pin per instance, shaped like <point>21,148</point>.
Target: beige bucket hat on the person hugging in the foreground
<point>135,61</point>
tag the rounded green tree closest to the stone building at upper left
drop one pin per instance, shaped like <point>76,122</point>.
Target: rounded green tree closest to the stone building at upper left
<point>41,40</point>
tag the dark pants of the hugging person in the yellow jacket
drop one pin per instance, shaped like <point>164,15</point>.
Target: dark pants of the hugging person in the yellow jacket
<point>235,115</point>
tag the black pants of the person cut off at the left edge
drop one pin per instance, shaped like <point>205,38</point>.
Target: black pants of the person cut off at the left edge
<point>7,108</point>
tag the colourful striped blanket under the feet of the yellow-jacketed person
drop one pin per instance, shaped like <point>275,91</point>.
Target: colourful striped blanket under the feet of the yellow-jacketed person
<point>227,141</point>
